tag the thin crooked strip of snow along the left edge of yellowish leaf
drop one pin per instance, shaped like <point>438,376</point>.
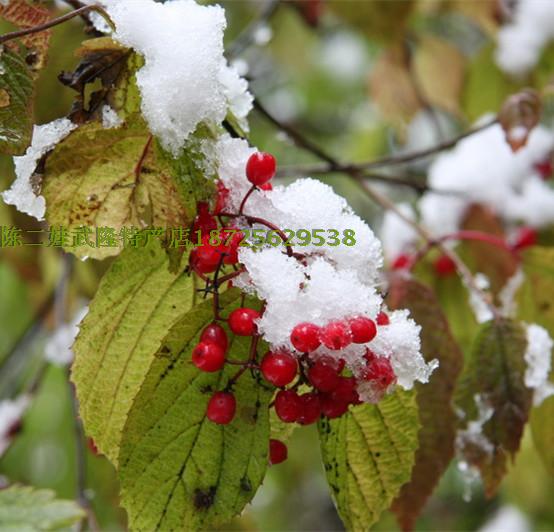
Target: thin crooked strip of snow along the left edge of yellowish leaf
<point>21,193</point>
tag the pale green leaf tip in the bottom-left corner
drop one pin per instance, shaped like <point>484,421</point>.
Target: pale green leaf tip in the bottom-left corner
<point>28,509</point>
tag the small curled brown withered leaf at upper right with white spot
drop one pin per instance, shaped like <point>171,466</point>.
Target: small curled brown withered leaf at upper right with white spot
<point>519,114</point>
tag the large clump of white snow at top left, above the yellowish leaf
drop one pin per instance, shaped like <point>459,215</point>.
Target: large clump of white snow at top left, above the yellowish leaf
<point>185,79</point>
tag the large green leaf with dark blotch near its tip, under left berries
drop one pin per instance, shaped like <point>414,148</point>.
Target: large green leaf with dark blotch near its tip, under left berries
<point>178,470</point>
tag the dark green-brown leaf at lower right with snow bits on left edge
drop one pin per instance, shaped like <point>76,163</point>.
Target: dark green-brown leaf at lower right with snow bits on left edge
<point>495,374</point>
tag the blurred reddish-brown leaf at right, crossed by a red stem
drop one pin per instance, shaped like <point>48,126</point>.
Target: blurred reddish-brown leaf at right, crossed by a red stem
<point>496,263</point>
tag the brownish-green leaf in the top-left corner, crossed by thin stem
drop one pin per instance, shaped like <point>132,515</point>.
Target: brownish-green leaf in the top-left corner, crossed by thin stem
<point>19,62</point>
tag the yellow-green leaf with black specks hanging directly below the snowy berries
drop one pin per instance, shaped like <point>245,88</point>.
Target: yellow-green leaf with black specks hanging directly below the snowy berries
<point>368,455</point>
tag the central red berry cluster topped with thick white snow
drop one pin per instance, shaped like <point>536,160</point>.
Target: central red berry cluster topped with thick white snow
<point>332,343</point>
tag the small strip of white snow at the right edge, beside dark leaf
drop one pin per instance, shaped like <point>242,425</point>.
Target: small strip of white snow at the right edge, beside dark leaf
<point>538,356</point>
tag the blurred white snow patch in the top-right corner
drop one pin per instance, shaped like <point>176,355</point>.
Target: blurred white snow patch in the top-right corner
<point>521,41</point>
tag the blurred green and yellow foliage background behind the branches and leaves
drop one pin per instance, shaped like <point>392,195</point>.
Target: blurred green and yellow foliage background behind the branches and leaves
<point>324,81</point>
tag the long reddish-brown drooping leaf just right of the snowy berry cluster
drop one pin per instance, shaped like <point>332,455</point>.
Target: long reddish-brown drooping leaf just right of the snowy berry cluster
<point>434,399</point>
